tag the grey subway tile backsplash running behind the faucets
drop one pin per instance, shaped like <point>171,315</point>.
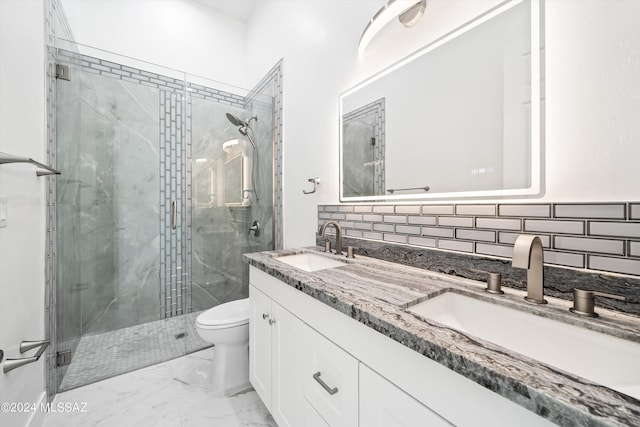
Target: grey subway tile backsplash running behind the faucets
<point>594,236</point>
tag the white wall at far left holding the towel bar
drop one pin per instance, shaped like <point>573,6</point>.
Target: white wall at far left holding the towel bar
<point>22,132</point>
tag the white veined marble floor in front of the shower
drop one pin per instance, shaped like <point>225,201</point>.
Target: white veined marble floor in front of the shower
<point>174,393</point>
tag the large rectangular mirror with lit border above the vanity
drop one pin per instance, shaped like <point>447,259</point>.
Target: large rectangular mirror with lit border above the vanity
<point>459,118</point>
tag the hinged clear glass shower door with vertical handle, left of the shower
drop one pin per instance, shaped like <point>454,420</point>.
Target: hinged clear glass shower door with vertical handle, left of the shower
<point>120,220</point>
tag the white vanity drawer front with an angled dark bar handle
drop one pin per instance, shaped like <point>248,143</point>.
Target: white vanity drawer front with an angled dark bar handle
<point>331,381</point>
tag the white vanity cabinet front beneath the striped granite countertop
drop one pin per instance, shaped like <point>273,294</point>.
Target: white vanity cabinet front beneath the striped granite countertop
<point>379,382</point>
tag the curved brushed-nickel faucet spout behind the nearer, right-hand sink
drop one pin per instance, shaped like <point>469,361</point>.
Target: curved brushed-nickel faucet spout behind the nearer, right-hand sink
<point>527,253</point>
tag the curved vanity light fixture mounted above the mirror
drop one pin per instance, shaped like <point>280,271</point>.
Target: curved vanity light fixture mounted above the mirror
<point>408,12</point>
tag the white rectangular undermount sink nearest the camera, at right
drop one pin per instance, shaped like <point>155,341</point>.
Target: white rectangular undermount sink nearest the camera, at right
<point>601,358</point>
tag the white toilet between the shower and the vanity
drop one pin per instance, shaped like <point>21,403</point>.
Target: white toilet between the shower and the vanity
<point>227,326</point>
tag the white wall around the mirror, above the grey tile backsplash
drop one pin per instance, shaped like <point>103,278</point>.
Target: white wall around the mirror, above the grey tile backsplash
<point>593,93</point>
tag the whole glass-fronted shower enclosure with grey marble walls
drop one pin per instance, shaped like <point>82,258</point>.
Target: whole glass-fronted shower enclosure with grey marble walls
<point>159,197</point>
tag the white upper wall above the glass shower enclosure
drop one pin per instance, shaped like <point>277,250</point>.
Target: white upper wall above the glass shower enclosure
<point>178,34</point>
